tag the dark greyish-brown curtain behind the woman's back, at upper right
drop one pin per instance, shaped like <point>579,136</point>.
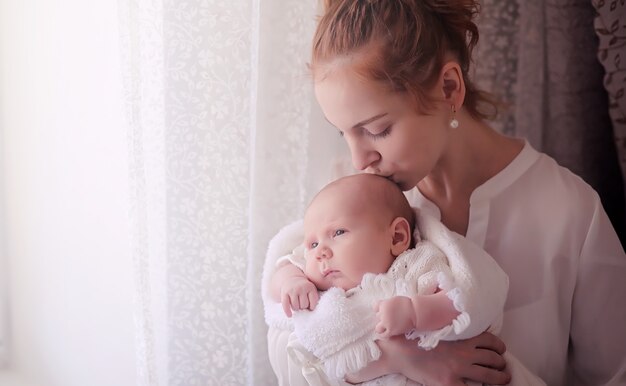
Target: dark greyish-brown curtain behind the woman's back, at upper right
<point>542,58</point>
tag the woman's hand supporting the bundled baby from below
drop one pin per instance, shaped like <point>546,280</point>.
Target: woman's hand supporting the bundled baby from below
<point>450,363</point>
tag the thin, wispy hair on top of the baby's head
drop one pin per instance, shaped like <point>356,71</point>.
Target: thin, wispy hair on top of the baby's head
<point>376,191</point>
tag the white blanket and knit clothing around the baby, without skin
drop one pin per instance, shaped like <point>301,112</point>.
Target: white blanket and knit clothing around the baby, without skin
<point>480,303</point>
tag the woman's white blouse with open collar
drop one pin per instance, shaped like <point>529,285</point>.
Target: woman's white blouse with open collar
<point>565,316</point>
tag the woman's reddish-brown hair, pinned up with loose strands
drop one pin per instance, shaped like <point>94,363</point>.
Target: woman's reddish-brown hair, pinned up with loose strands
<point>403,43</point>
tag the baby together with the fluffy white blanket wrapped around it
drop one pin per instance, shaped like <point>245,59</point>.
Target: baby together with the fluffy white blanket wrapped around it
<point>363,249</point>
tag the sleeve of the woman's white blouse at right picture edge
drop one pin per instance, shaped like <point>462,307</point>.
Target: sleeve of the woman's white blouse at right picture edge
<point>598,322</point>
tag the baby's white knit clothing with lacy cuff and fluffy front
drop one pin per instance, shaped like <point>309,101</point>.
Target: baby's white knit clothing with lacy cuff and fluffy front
<point>340,331</point>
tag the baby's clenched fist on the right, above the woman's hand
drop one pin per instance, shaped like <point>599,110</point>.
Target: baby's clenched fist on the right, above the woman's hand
<point>395,316</point>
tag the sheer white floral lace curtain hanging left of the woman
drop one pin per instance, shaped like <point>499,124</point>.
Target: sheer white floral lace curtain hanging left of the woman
<point>223,125</point>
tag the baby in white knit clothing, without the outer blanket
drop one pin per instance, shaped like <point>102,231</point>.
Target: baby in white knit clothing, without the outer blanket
<point>358,232</point>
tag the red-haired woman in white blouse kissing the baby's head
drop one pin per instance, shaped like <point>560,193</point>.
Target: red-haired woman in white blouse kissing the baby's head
<point>392,76</point>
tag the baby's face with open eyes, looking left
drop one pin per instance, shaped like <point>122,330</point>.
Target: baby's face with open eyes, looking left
<point>344,241</point>
